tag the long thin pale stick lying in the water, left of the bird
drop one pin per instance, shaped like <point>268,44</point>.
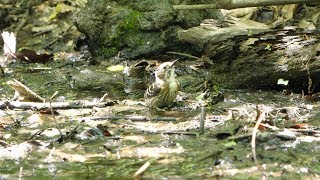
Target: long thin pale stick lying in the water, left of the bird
<point>54,105</point>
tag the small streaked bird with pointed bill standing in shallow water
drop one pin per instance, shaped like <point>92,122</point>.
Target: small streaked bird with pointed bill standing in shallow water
<point>164,89</point>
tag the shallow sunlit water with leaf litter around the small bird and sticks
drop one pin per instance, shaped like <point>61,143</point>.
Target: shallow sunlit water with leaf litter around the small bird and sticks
<point>224,150</point>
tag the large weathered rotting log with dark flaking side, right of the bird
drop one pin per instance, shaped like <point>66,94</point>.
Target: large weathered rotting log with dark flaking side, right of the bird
<point>252,55</point>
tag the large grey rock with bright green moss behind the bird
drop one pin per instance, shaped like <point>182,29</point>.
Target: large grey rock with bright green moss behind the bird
<point>135,28</point>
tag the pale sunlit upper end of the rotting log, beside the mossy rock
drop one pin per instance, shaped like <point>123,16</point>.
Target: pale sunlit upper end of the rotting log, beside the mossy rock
<point>211,32</point>
